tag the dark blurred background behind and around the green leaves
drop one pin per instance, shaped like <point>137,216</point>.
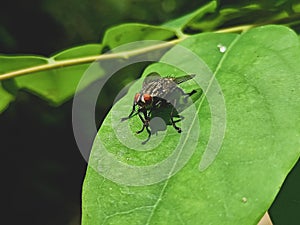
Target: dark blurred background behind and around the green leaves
<point>42,168</point>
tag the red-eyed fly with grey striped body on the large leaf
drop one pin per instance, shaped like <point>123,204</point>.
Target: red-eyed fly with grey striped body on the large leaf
<point>158,92</point>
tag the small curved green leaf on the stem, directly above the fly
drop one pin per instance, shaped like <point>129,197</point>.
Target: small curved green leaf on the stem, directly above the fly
<point>127,33</point>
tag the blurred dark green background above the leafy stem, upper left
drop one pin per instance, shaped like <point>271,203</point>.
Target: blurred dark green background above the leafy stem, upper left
<point>48,26</point>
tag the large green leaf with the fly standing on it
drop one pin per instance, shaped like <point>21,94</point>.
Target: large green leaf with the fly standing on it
<point>259,77</point>
